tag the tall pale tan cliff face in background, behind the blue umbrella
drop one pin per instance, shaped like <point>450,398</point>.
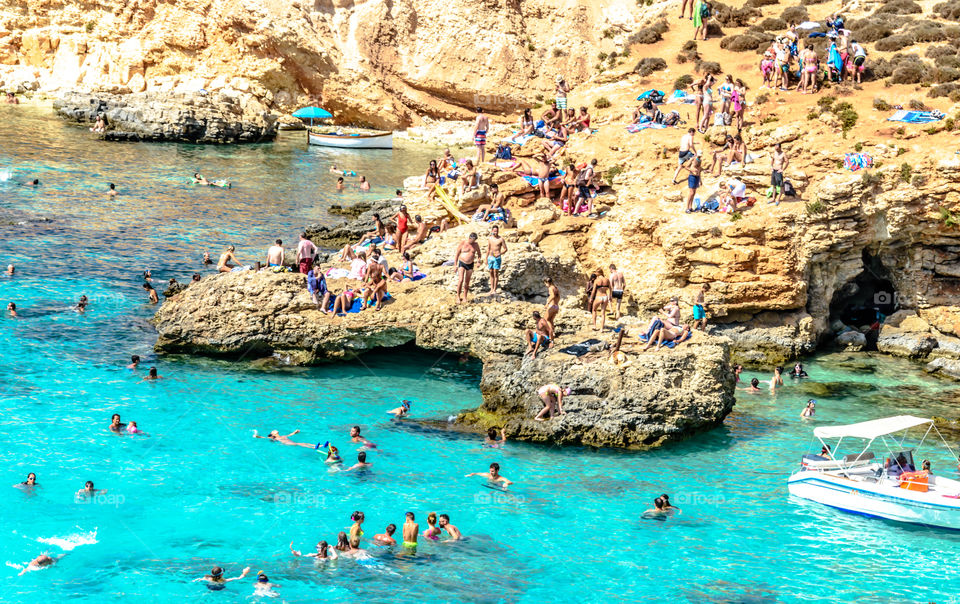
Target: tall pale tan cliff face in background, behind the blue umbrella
<point>379,63</point>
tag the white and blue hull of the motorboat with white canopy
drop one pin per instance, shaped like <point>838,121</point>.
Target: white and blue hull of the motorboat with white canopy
<point>877,499</point>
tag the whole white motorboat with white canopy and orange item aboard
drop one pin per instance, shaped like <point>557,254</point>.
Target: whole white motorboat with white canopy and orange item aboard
<point>890,487</point>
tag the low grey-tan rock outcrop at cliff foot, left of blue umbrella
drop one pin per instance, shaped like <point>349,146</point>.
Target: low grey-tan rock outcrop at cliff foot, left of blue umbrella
<point>188,118</point>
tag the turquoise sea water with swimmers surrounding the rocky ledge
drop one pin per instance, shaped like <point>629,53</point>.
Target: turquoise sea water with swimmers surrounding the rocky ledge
<point>201,491</point>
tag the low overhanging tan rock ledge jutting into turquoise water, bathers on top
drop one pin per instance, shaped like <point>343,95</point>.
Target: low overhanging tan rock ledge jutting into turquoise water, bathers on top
<point>660,397</point>
